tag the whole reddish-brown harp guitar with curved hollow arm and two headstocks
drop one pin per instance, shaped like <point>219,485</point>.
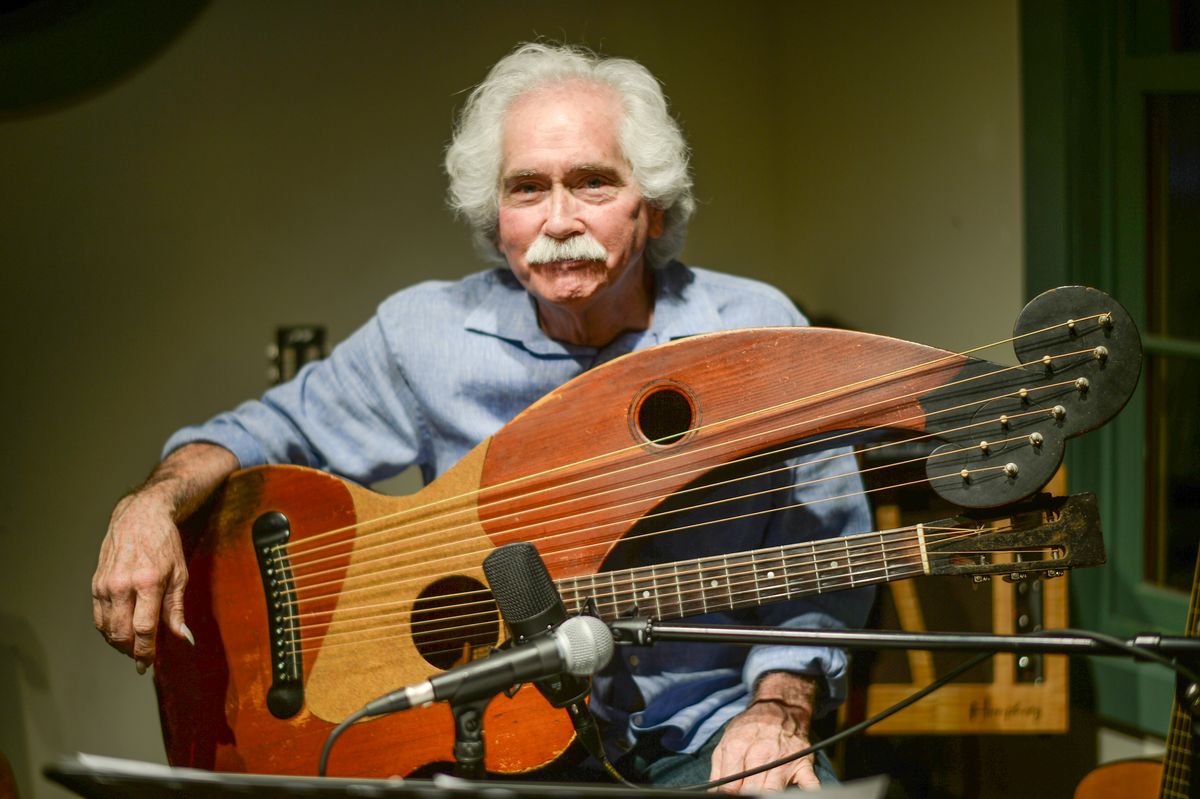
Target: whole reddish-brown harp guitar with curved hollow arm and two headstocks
<point>309,596</point>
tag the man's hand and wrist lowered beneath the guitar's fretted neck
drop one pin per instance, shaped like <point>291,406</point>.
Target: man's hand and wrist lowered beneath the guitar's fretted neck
<point>776,724</point>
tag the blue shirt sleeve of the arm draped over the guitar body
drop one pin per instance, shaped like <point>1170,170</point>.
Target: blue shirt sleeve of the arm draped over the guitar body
<point>353,413</point>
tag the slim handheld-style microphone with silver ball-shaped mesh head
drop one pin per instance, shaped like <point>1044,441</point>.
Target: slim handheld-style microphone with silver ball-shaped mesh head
<point>580,646</point>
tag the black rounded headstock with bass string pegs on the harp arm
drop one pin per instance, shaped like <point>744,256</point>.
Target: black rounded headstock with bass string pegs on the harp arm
<point>1006,428</point>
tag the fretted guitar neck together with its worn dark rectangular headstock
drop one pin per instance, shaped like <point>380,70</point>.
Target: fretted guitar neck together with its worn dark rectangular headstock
<point>1048,536</point>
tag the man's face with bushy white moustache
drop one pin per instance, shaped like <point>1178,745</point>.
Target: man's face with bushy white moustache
<point>565,179</point>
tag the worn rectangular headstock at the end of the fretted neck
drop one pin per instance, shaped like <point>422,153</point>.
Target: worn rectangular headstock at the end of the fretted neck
<point>1045,537</point>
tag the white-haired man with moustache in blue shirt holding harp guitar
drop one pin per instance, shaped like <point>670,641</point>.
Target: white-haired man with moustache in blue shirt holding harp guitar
<point>571,170</point>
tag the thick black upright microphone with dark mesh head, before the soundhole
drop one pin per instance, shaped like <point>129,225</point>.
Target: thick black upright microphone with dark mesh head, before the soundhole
<point>532,608</point>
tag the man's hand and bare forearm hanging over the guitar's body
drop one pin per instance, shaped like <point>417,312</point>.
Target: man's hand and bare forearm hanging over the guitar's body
<point>141,574</point>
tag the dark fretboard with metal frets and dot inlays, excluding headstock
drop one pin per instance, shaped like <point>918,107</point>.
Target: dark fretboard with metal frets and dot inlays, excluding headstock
<point>749,579</point>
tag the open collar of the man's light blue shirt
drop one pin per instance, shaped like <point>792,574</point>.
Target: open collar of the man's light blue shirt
<point>682,309</point>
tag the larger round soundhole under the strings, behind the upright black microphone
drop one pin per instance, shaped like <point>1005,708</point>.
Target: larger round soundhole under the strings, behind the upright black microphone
<point>454,621</point>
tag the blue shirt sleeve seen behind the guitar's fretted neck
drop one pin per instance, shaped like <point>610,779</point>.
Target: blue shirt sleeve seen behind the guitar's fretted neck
<point>826,502</point>
